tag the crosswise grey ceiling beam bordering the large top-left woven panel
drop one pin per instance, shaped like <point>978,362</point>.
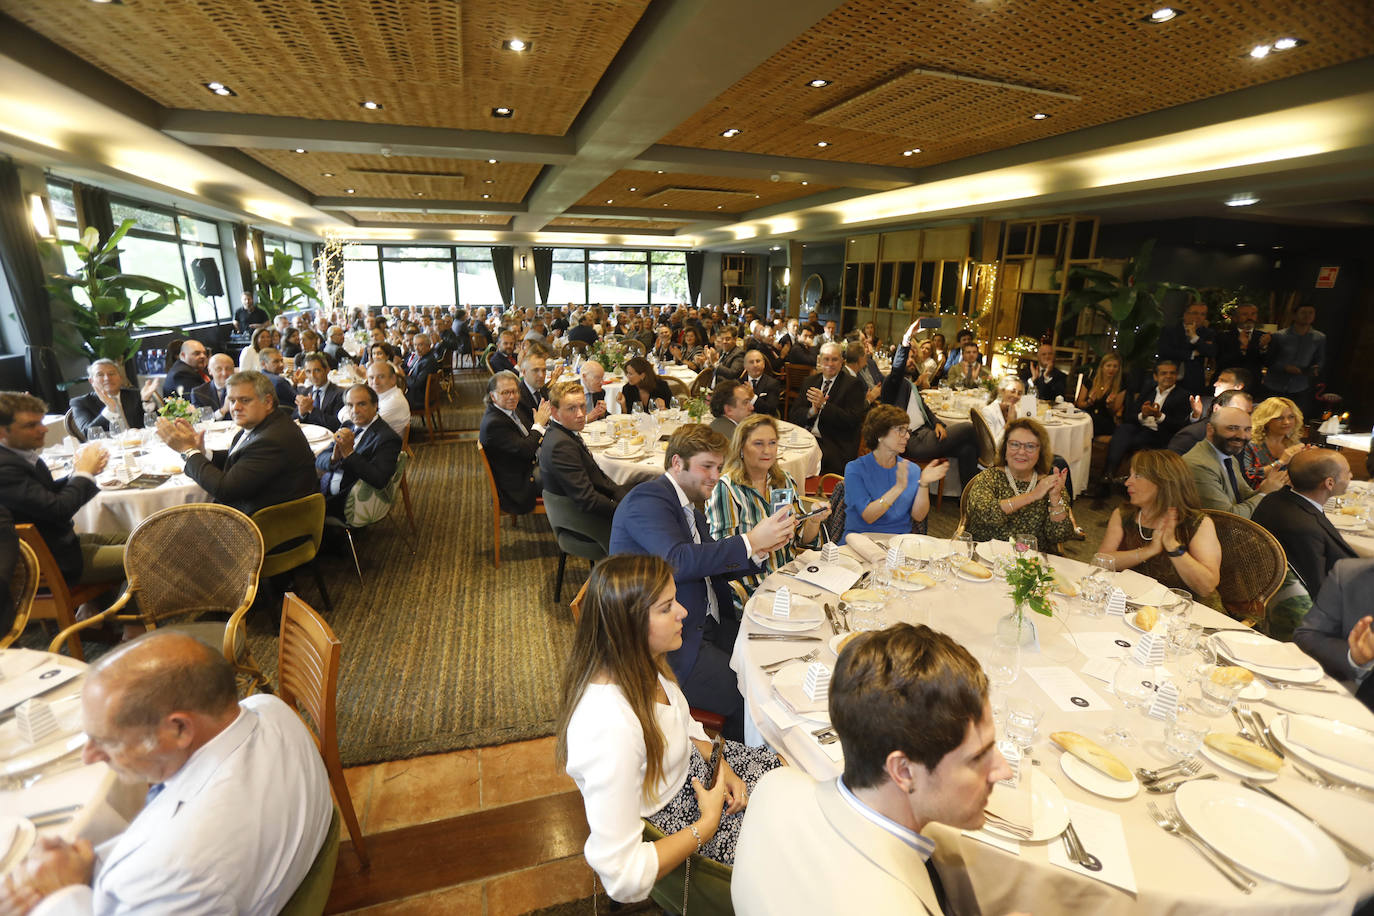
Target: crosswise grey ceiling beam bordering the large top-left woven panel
<point>274,133</point>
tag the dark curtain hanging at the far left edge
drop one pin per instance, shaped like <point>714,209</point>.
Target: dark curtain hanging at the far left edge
<point>24,273</point>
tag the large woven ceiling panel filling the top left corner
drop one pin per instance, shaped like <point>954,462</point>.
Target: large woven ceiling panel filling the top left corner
<point>429,62</point>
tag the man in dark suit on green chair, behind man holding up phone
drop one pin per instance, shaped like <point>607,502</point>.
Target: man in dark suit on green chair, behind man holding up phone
<point>568,469</point>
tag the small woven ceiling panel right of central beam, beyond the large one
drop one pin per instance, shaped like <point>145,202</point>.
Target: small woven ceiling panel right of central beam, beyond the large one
<point>700,193</point>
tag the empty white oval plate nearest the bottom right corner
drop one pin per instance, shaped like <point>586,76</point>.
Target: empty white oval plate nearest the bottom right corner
<point>1263,837</point>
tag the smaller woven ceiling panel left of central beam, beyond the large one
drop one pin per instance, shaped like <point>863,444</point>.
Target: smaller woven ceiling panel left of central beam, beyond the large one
<point>377,176</point>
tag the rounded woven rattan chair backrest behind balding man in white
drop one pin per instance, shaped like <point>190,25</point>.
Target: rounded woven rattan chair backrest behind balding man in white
<point>194,560</point>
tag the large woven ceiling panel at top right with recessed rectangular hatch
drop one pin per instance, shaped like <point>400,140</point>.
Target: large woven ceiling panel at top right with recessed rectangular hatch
<point>1100,51</point>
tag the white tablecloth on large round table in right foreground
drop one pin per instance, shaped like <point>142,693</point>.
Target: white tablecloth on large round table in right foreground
<point>1170,875</point>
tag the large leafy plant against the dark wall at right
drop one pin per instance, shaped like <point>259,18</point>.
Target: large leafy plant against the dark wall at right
<point>1129,306</point>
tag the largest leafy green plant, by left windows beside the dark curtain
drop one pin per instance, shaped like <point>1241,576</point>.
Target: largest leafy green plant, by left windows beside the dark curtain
<point>112,306</point>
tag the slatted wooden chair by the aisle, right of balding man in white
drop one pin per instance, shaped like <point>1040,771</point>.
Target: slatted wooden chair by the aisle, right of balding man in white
<point>308,671</point>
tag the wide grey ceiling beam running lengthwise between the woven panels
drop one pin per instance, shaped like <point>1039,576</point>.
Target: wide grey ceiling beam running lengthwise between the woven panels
<point>679,57</point>
